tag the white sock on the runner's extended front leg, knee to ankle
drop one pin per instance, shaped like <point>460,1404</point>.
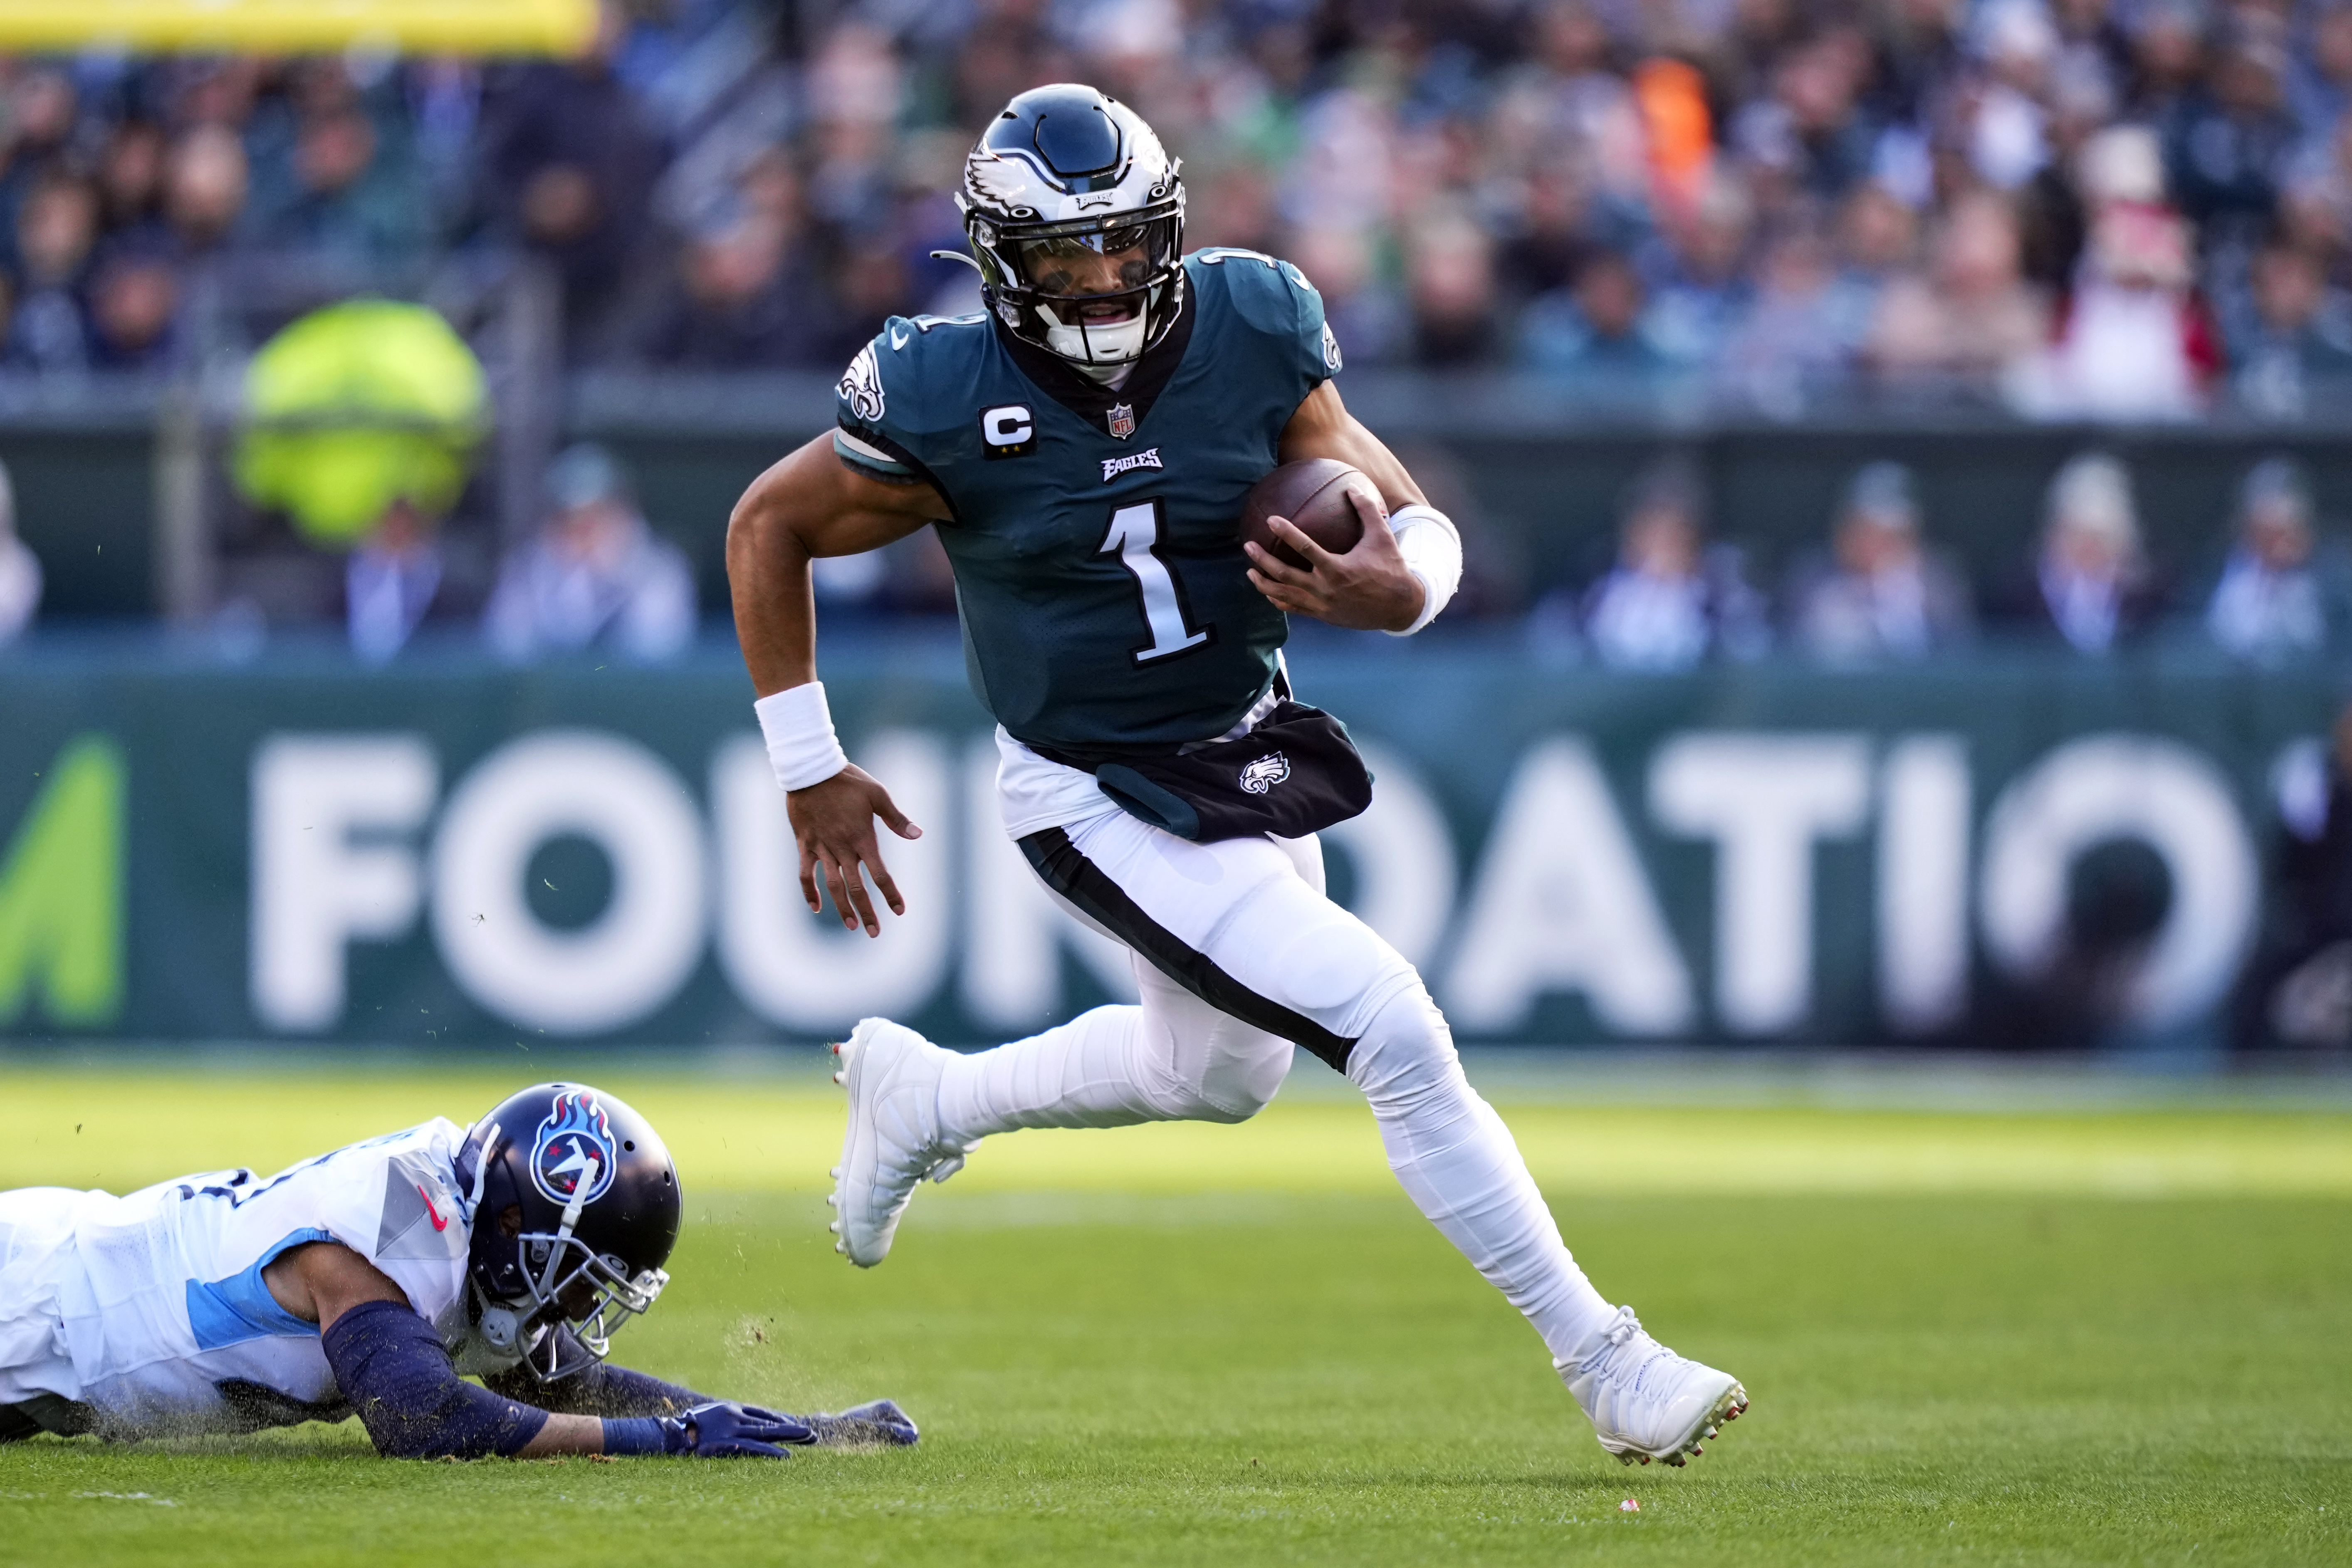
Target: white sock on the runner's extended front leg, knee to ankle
<point>1464,1170</point>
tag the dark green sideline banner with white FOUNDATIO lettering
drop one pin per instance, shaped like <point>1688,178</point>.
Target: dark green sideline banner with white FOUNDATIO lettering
<point>1993,852</point>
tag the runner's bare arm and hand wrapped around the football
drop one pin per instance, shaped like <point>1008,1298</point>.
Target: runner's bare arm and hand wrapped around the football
<point>1368,589</point>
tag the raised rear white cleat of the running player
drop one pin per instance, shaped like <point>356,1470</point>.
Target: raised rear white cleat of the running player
<point>893,1141</point>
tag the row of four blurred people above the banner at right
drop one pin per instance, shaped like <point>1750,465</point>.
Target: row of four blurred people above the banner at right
<point>1880,591</point>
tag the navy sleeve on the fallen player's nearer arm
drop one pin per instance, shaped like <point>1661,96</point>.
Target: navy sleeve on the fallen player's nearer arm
<point>396,1372</point>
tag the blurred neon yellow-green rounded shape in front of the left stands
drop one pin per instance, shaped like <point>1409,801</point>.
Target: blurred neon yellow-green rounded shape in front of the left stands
<point>354,408</point>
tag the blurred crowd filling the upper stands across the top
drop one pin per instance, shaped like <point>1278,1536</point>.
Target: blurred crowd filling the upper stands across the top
<point>2071,208</point>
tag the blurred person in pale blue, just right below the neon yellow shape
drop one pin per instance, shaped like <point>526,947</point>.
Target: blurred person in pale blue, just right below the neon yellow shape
<point>596,572</point>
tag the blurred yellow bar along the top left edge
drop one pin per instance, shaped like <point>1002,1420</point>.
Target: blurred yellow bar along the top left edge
<point>302,27</point>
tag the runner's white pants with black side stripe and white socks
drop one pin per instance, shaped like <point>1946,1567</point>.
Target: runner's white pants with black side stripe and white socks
<point>1238,956</point>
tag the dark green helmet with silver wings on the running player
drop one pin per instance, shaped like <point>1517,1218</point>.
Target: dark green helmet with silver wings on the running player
<point>1060,175</point>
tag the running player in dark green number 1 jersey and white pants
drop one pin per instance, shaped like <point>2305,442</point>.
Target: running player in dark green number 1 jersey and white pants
<point>1083,450</point>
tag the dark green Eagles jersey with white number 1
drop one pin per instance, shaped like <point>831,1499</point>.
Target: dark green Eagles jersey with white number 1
<point>1097,570</point>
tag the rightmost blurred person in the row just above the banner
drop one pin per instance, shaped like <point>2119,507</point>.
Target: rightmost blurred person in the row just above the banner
<point>2273,601</point>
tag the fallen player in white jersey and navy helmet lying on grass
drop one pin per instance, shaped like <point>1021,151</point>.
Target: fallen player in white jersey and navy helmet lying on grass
<point>368,1282</point>
